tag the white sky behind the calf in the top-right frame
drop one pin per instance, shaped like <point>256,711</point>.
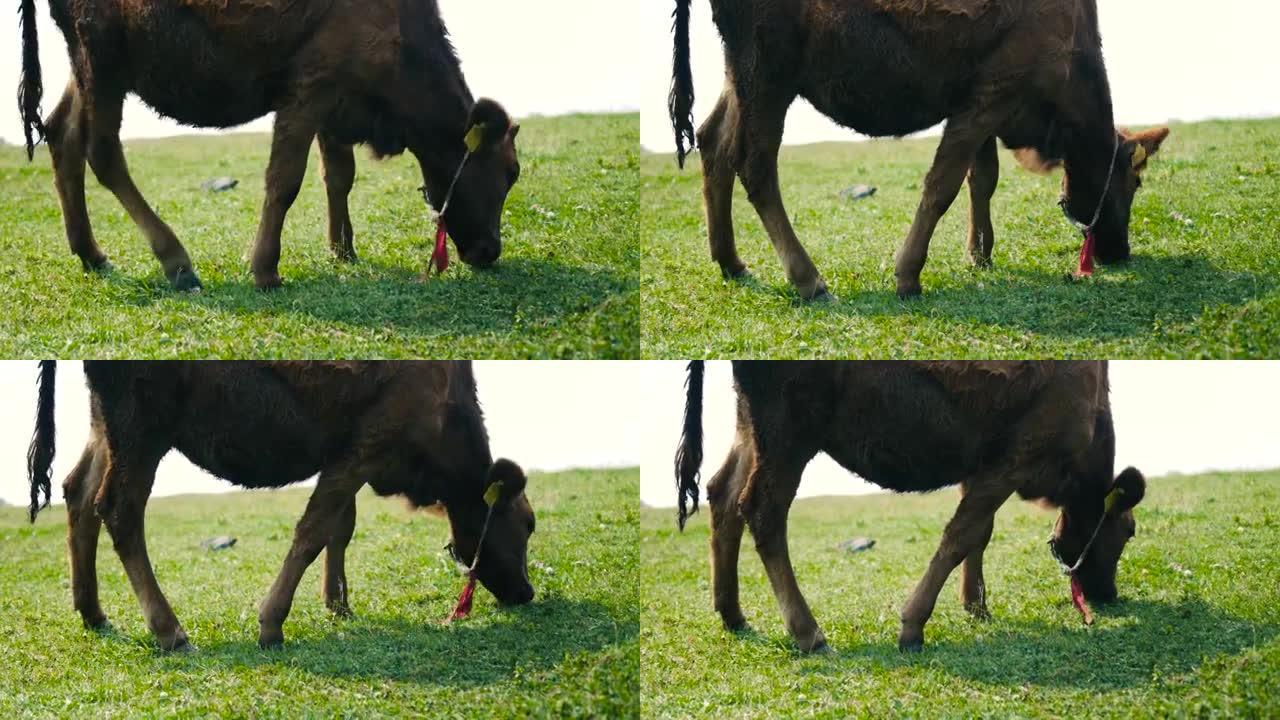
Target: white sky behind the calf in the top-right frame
<point>1167,61</point>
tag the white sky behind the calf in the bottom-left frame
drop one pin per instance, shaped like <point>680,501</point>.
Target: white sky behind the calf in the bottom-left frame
<point>546,416</point>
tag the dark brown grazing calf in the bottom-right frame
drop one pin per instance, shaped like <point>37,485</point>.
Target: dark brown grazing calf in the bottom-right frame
<point>1039,430</point>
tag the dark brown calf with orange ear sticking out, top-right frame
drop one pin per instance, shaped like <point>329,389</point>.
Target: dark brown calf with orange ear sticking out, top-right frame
<point>1027,72</point>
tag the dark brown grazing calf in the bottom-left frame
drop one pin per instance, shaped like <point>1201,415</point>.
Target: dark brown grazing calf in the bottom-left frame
<point>404,429</point>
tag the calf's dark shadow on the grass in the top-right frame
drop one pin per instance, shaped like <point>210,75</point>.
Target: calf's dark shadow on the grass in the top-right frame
<point>1173,290</point>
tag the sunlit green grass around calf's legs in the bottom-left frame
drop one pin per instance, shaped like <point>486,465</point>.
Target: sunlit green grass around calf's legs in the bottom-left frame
<point>572,653</point>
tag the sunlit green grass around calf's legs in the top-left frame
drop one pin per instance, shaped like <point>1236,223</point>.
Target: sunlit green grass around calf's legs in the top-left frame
<point>568,284</point>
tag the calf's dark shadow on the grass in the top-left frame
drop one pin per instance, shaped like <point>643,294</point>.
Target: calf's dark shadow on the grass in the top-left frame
<point>516,293</point>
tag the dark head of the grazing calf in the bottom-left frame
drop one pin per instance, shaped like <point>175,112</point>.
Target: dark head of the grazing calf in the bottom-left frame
<point>504,568</point>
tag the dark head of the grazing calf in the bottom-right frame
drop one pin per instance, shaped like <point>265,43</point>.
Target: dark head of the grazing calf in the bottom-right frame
<point>1098,572</point>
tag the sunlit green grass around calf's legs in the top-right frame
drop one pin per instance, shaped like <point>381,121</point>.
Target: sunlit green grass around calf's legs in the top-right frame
<point>1205,280</point>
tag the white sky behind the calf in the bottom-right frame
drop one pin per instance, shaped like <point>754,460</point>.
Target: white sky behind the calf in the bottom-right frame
<point>1171,418</point>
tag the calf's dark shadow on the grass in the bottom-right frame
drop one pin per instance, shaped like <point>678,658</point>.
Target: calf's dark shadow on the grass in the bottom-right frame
<point>1140,637</point>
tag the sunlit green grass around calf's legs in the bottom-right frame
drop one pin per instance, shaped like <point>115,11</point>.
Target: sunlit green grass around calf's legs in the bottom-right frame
<point>1197,632</point>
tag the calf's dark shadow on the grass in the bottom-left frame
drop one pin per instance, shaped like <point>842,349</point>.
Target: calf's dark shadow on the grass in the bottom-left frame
<point>536,639</point>
